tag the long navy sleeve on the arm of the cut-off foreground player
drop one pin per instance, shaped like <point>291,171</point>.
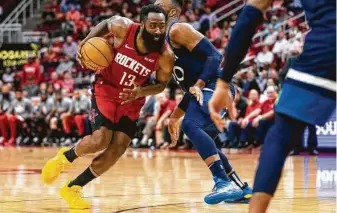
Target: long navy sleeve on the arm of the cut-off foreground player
<point>240,41</point>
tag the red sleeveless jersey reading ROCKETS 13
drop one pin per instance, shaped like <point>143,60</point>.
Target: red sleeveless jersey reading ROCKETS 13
<point>129,66</point>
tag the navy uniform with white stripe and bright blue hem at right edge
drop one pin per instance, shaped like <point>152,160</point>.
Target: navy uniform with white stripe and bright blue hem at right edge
<point>309,91</point>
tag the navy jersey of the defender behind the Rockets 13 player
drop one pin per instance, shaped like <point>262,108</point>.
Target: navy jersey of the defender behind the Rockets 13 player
<point>188,67</point>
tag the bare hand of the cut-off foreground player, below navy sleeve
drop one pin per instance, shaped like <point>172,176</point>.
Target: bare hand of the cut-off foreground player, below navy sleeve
<point>221,99</point>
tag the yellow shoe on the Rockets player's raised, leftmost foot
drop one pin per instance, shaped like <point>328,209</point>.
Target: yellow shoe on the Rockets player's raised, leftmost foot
<point>53,168</point>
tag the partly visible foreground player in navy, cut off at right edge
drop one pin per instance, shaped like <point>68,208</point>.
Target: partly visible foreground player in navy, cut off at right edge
<point>308,94</point>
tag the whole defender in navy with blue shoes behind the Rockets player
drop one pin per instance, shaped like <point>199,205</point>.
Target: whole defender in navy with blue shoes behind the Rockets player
<point>196,70</point>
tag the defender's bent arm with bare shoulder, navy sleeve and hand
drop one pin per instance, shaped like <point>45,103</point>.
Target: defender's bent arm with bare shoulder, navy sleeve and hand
<point>185,35</point>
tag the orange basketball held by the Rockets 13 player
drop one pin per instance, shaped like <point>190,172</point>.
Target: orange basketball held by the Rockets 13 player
<point>97,53</point>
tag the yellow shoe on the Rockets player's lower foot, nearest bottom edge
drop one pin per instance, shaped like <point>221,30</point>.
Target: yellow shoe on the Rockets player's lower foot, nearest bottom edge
<point>73,196</point>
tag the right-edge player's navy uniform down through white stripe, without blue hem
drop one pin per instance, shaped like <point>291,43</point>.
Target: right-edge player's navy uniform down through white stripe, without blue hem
<point>318,59</point>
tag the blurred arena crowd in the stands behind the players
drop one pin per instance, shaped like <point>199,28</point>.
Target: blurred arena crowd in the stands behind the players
<point>39,41</point>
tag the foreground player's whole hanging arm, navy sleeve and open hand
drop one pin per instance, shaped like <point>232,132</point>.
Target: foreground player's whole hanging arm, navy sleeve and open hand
<point>238,45</point>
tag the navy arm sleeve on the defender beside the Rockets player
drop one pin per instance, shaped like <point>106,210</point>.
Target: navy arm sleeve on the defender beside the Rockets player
<point>213,59</point>
